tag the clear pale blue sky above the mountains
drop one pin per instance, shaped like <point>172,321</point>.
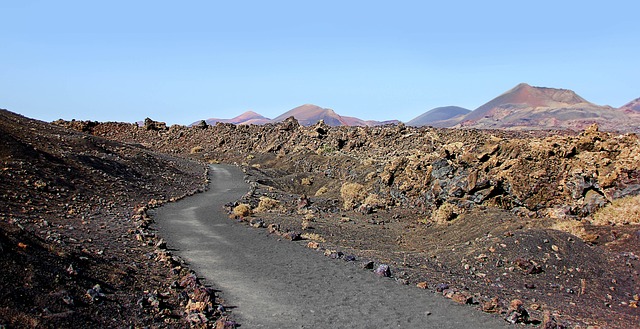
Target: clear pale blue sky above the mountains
<point>181,61</point>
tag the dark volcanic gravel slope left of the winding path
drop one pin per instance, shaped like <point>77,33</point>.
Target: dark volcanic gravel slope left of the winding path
<point>75,250</point>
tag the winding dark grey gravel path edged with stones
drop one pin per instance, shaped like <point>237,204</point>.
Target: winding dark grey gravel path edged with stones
<point>280,284</point>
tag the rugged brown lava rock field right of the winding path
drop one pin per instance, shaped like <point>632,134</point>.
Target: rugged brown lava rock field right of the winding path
<point>501,220</point>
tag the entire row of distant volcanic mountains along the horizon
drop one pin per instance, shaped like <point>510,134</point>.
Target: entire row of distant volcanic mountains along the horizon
<point>523,107</point>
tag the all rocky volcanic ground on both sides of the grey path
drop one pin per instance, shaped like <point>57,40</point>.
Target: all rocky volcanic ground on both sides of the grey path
<point>505,221</point>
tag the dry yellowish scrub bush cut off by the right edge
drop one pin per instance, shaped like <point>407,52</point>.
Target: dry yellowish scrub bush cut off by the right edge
<point>620,211</point>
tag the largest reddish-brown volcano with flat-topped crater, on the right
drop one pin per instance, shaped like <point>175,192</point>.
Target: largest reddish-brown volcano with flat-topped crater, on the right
<point>525,107</point>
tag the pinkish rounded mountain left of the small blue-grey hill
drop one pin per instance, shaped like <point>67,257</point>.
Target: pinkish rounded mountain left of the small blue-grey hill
<point>310,114</point>
